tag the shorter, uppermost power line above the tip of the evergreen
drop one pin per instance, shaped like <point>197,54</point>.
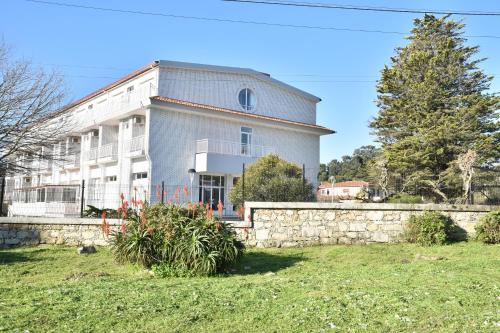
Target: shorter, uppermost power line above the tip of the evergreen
<point>367,8</point>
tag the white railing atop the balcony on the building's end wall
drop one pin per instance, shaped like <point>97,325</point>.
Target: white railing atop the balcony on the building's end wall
<point>232,148</point>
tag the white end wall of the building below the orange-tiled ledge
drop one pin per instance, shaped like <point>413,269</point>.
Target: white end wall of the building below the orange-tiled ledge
<point>173,135</point>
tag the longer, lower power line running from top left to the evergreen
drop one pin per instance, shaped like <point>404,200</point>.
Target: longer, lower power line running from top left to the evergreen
<point>214,19</point>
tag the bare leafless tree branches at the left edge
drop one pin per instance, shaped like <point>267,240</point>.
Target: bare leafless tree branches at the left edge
<point>30,128</point>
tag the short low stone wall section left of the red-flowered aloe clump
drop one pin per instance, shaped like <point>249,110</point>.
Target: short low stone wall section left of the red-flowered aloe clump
<point>16,231</point>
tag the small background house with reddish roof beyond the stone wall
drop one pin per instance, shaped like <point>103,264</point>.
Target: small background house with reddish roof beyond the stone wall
<point>348,190</point>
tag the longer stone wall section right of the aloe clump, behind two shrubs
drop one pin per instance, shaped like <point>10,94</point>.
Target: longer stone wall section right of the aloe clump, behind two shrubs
<point>276,224</point>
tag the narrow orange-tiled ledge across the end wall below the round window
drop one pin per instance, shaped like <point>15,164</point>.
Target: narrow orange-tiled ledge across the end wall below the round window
<point>239,113</point>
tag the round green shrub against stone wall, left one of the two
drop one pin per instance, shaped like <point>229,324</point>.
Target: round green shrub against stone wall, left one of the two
<point>430,228</point>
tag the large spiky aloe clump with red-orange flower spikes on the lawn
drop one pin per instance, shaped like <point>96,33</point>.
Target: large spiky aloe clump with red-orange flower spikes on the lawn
<point>177,240</point>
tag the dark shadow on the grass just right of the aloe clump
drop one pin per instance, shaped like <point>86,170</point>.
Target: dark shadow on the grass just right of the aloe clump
<point>262,262</point>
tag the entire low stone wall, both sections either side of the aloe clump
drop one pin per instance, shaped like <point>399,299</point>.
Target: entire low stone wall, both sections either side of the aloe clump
<point>267,224</point>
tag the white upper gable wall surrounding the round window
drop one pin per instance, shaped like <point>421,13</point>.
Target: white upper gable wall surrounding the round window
<point>221,89</point>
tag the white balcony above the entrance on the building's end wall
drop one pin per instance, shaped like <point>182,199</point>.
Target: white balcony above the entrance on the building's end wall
<point>220,156</point>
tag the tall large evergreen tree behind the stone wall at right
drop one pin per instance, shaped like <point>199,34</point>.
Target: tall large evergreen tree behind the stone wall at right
<point>434,107</point>
